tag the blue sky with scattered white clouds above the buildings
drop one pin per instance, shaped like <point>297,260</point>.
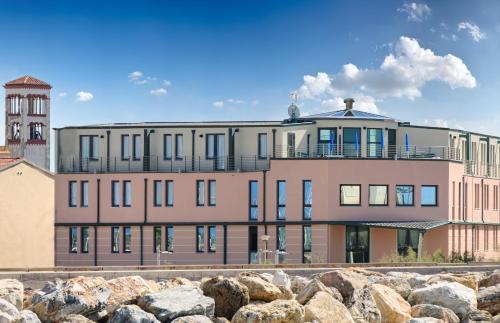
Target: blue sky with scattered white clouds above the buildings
<point>433,63</point>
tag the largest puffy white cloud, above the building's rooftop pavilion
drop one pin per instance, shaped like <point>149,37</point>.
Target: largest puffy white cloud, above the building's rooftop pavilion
<point>403,73</point>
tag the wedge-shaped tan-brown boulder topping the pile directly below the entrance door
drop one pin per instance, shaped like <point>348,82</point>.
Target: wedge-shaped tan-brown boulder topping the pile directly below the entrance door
<point>345,281</point>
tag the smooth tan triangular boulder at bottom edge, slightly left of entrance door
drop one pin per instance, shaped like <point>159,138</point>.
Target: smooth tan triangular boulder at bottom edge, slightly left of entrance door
<point>323,308</point>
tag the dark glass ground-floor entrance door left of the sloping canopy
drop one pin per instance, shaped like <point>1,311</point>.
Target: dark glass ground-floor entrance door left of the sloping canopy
<point>357,244</point>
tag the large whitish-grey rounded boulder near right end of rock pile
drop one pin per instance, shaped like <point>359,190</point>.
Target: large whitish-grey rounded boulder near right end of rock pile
<point>455,296</point>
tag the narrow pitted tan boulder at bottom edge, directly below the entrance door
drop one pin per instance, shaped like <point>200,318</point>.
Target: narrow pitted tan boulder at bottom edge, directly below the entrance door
<point>363,308</point>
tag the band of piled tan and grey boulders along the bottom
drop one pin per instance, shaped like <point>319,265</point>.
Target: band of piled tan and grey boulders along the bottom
<point>341,295</point>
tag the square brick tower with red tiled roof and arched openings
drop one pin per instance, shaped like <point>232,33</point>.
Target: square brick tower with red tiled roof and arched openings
<point>27,119</point>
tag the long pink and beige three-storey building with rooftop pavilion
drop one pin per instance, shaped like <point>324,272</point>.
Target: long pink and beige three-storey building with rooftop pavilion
<point>341,186</point>
